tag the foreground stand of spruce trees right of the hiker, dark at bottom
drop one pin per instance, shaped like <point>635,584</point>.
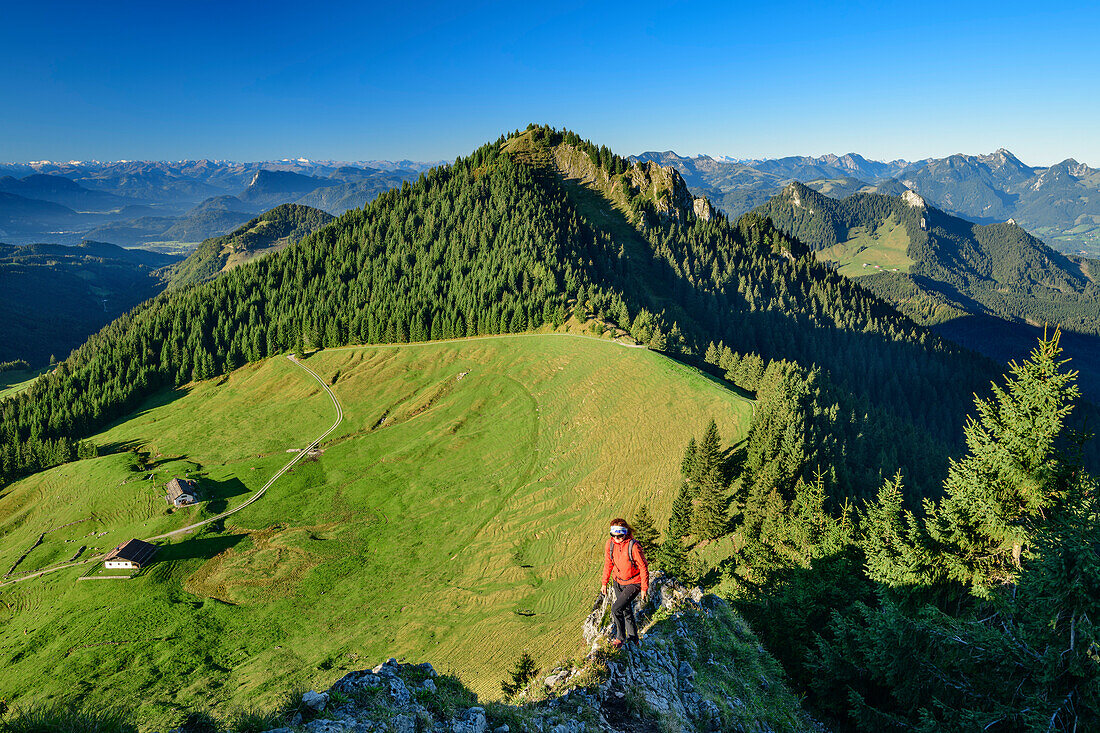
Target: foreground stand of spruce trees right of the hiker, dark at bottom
<point>978,611</point>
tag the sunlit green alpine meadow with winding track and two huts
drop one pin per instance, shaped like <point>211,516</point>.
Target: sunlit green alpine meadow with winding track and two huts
<point>458,521</point>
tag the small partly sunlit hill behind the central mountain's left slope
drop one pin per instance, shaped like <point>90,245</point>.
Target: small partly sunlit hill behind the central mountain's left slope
<point>270,233</point>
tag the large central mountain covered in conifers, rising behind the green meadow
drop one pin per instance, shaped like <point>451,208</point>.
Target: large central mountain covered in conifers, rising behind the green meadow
<point>499,243</point>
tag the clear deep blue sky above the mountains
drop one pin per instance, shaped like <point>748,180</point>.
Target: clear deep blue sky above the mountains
<point>404,80</point>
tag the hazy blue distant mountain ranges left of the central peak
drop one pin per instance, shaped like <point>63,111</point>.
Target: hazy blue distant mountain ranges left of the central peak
<point>138,203</point>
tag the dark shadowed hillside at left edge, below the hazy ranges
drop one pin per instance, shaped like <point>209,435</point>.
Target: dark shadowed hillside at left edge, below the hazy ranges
<point>53,297</point>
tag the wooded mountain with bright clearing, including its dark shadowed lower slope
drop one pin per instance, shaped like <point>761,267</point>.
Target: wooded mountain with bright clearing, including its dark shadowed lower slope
<point>991,288</point>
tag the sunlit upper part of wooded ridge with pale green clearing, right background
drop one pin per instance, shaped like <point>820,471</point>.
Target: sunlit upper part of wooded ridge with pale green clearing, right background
<point>994,269</point>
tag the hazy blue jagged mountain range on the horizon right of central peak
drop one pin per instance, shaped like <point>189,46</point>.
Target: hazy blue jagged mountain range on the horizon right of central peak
<point>1060,204</point>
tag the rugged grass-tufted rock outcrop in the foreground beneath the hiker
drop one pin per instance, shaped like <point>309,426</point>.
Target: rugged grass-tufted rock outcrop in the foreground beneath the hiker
<point>698,669</point>
